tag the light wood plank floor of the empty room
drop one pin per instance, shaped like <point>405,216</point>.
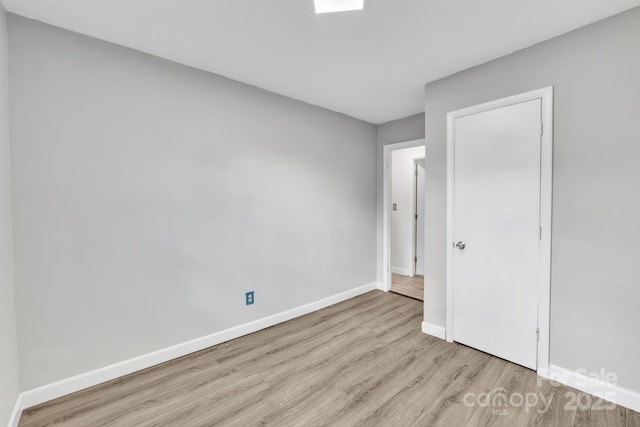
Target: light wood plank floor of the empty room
<point>363,362</point>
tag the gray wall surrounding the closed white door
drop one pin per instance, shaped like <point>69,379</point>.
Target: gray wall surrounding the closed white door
<point>596,203</point>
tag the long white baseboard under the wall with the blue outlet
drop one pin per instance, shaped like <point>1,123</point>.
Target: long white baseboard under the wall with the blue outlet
<point>61,388</point>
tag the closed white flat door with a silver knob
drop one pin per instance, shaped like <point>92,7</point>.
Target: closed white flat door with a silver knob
<point>496,225</point>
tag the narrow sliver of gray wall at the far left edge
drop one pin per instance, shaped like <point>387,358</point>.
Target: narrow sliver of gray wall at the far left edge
<point>9,387</point>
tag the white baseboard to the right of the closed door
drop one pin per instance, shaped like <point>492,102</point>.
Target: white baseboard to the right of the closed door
<point>608,391</point>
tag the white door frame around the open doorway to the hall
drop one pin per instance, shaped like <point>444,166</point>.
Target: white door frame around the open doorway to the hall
<point>386,206</point>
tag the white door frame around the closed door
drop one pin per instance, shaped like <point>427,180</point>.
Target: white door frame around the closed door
<point>546,193</point>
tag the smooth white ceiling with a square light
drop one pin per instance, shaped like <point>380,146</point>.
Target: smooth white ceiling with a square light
<point>369,64</point>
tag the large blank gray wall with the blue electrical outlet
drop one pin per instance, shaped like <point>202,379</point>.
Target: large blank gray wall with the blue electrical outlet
<point>149,197</point>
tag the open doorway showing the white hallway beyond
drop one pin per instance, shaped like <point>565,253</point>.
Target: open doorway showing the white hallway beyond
<point>404,203</point>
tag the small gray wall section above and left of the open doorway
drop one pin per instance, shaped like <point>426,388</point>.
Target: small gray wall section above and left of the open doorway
<point>401,130</point>
